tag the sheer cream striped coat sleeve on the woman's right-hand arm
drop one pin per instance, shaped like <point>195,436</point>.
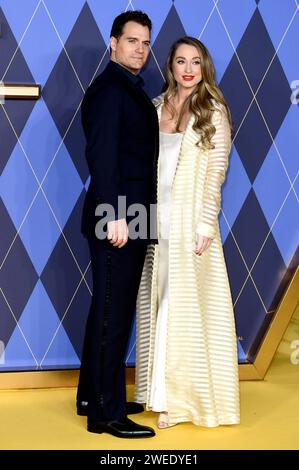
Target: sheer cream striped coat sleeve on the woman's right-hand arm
<point>216,170</point>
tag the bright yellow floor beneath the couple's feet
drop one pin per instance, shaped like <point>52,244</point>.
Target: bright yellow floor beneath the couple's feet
<point>46,419</point>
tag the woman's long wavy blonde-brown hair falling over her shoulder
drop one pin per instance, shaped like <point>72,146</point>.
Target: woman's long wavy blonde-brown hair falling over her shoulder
<point>201,103</point>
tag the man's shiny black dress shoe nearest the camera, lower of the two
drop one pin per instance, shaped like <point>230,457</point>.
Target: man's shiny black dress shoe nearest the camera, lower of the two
<point>123,428</point>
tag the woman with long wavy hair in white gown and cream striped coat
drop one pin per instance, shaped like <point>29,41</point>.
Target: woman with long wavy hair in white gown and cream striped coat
<point>188,334</point>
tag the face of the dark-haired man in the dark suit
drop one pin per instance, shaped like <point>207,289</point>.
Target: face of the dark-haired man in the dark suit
<point>131,49</point>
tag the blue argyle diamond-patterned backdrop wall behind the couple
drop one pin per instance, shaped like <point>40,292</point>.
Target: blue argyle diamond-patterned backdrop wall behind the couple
<point>45,277</point>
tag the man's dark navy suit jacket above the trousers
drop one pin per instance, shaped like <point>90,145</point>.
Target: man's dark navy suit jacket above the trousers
<point>122,144</point>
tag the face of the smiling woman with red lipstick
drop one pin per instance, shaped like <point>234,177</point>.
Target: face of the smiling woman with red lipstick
<point>186,66</point>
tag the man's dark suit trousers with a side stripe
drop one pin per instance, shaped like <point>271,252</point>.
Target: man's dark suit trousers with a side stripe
<point>116,278</point>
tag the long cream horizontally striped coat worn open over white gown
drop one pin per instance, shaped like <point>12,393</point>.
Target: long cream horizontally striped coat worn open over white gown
<point>201,360</point>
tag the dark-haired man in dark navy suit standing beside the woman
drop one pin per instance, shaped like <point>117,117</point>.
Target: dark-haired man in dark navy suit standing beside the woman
<point>121,128</point>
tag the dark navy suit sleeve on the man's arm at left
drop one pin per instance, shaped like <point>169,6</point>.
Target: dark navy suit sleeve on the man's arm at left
<point>101,118</point>
